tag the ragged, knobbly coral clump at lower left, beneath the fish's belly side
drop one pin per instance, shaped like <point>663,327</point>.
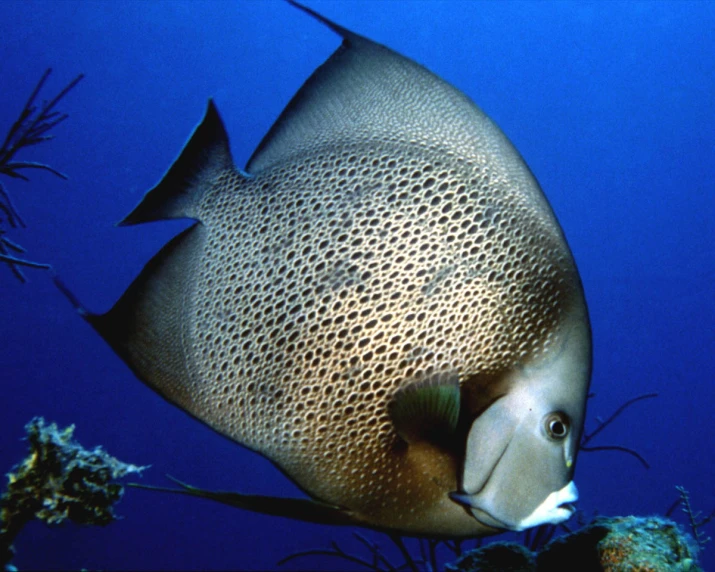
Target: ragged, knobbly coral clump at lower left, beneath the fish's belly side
<point>59,481</point>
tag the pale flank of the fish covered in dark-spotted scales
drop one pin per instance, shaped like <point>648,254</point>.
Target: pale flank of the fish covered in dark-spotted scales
<point>336,278</point>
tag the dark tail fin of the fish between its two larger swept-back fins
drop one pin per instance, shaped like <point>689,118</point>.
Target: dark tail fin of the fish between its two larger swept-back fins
<point>179,191</point>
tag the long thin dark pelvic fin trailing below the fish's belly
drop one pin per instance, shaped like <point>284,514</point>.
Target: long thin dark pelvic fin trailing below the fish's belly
<point>307,510</point>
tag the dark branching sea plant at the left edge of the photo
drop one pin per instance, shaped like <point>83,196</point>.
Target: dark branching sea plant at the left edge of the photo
<point>33,126</point>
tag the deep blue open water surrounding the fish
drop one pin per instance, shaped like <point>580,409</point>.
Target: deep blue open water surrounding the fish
<point>611,104</point>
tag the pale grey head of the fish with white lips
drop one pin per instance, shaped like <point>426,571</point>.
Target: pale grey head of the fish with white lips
<point>521,450</point>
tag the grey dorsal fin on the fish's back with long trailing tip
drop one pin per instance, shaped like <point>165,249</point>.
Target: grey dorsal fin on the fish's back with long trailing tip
<point>366,91</point>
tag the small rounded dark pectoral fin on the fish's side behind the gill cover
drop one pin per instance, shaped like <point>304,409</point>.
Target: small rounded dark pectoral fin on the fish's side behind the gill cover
<point>427,409</point>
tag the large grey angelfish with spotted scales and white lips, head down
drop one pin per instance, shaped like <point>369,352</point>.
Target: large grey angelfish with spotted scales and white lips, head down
<point>382,303</point>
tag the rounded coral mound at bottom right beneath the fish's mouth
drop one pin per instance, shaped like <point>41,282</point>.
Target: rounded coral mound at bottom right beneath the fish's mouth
<point>621,544</point>
